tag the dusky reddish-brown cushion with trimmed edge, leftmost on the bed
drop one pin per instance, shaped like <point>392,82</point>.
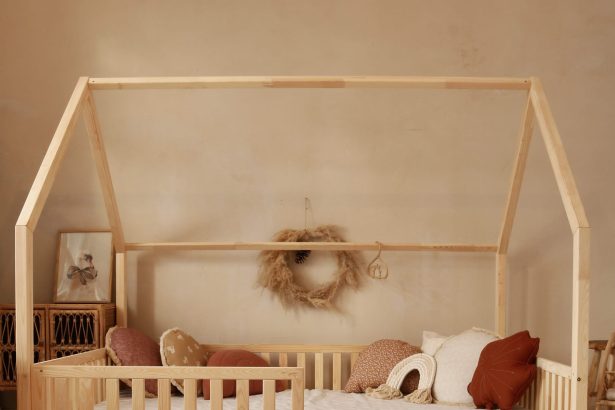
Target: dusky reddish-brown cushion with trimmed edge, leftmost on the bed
<point>130,347</point>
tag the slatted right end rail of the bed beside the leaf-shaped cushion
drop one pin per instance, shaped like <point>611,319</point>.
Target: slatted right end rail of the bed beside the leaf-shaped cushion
<point>551,388</point>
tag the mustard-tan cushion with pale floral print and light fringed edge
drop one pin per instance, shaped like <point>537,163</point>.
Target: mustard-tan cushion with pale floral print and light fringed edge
<point>177,348</point>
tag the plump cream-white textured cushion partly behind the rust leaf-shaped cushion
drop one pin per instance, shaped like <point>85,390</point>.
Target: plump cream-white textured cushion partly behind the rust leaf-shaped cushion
<point>456,362</point>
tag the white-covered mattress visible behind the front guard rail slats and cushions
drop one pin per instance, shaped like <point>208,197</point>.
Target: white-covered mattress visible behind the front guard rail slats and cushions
<point>314,400</point>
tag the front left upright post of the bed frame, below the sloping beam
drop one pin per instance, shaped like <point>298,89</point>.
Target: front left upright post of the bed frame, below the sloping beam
<point>24,261</point>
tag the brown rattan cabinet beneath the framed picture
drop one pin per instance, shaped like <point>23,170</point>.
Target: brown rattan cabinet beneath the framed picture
<point>59,330</point>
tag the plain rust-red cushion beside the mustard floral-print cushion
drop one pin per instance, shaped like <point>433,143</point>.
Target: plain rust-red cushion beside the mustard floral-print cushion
<point>237,358</point>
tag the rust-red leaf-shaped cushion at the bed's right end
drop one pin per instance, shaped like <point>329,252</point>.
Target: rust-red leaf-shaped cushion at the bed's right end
<point>506,368</point>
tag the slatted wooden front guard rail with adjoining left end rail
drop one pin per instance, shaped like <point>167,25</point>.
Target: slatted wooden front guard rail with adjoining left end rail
<point>79,384</point>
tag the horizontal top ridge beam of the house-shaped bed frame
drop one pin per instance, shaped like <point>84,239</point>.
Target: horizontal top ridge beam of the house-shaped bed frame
<point>508,83</point>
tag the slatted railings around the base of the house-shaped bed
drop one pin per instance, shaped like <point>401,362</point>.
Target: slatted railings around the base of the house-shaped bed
<point>84,380</point>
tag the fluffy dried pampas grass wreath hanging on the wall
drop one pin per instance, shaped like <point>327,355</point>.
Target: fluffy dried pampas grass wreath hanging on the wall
<point>277,276</point>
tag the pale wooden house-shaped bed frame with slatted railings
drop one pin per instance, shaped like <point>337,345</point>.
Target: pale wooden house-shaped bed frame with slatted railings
<point>82,380</point>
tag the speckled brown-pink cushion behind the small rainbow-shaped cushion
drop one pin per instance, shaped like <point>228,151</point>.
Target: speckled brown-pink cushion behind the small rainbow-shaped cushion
<point>376,362</point>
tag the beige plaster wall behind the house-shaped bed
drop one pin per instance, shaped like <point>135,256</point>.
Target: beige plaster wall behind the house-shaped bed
<point>386,165</point>
